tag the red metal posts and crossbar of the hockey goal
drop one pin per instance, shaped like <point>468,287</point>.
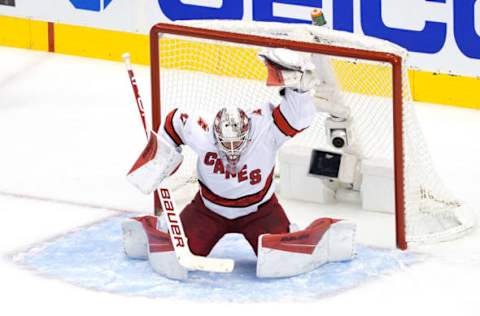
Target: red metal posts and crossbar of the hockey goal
<point>394,60</point>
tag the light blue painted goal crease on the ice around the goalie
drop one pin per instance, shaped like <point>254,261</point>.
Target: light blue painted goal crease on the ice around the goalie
<point>93,258</point>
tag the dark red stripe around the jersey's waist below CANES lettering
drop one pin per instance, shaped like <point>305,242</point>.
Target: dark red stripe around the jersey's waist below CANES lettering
<point>240,202</point>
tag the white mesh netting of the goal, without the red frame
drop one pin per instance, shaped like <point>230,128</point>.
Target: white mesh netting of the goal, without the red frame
<point>201,75</point>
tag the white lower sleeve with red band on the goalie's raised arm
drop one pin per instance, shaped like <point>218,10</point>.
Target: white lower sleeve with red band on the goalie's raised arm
<point>294,114</point>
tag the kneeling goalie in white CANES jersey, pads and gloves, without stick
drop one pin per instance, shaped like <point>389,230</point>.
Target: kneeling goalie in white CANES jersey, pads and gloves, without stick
<point>235,167</point>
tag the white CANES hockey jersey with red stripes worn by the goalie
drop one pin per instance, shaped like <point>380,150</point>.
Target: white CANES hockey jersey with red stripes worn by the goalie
<point>235,195</point>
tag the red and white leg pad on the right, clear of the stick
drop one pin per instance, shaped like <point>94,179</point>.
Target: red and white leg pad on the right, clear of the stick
<point>325,240</point>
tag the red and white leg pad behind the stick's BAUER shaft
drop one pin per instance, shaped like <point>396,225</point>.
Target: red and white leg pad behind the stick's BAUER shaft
<point>142,239</point>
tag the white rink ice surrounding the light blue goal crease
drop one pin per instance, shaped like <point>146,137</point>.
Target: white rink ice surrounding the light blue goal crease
<point>68,133</point>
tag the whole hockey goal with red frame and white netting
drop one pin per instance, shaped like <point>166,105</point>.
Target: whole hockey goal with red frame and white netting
<point>215,64</point>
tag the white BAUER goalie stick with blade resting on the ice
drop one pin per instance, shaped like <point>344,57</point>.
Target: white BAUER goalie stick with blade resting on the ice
<point>175,227</point>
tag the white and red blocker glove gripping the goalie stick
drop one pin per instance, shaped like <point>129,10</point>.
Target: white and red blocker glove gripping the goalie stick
<point>158,160</point>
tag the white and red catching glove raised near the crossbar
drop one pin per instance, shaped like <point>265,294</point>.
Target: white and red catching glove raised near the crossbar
<point>289,69</point>
